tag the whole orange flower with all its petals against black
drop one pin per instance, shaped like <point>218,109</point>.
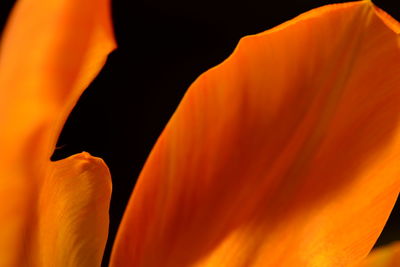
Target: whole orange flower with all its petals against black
<point>286,154</point>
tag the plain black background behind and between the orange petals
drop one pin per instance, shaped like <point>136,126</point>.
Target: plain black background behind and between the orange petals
<point>162,47</point>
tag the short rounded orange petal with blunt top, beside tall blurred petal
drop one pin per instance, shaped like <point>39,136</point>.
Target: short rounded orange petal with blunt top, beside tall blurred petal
<point>73,206</point>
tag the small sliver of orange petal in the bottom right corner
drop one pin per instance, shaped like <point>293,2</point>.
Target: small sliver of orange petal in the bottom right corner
<point>388,256</point>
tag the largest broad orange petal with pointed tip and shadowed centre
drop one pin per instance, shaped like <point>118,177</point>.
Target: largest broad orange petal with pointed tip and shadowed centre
<point>286,154</point>
